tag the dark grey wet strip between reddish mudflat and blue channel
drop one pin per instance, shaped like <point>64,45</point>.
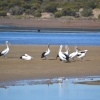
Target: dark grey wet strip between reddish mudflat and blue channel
<point>21,28</point>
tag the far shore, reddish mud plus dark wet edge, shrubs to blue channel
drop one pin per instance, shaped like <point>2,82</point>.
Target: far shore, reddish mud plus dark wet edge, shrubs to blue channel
<point>48,24</point>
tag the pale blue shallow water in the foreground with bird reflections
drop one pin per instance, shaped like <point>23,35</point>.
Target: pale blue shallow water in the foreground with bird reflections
<point>66,90</point>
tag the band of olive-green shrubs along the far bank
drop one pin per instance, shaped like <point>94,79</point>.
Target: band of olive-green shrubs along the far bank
<point>36,7</point>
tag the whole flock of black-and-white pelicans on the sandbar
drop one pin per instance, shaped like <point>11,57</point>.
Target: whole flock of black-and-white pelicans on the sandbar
<point>63,56</point>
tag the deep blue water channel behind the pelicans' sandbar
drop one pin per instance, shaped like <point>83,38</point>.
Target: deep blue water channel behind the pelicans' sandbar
<point>54,38</point>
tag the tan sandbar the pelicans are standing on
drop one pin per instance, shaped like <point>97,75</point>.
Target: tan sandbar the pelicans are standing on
<point>13,68</point>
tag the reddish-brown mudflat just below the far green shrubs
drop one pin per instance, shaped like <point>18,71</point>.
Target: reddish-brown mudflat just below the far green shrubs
<point>53,24</point>
